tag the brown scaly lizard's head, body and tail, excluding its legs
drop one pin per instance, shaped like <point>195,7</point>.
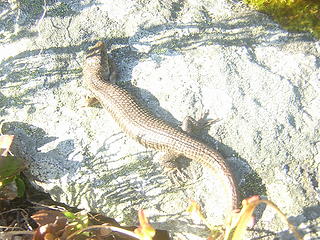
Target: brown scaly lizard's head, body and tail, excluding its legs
<point>140,124</point>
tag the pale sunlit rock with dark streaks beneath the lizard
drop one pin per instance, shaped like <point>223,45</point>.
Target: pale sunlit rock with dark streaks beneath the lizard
<point>182,58</point>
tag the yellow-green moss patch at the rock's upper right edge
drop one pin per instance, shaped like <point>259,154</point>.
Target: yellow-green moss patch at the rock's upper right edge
<point>295,15</point>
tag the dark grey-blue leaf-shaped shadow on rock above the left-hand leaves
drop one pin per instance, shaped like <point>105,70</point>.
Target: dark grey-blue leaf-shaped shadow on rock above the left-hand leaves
<point>29,143</point>
